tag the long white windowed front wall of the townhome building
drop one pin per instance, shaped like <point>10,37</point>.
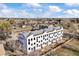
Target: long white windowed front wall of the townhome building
<point>51,38</point>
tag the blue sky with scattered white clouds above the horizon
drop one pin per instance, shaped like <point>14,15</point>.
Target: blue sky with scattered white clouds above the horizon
<point>39,10</point>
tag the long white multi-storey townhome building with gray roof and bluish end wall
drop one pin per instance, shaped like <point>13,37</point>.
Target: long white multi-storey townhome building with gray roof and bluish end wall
<point>38,39</point>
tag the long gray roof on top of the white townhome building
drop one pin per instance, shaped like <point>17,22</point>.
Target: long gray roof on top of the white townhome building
<point>37,32</point>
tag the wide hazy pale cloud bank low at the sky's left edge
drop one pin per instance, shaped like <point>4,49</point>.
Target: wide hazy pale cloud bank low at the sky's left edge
<point>15,13</point>
